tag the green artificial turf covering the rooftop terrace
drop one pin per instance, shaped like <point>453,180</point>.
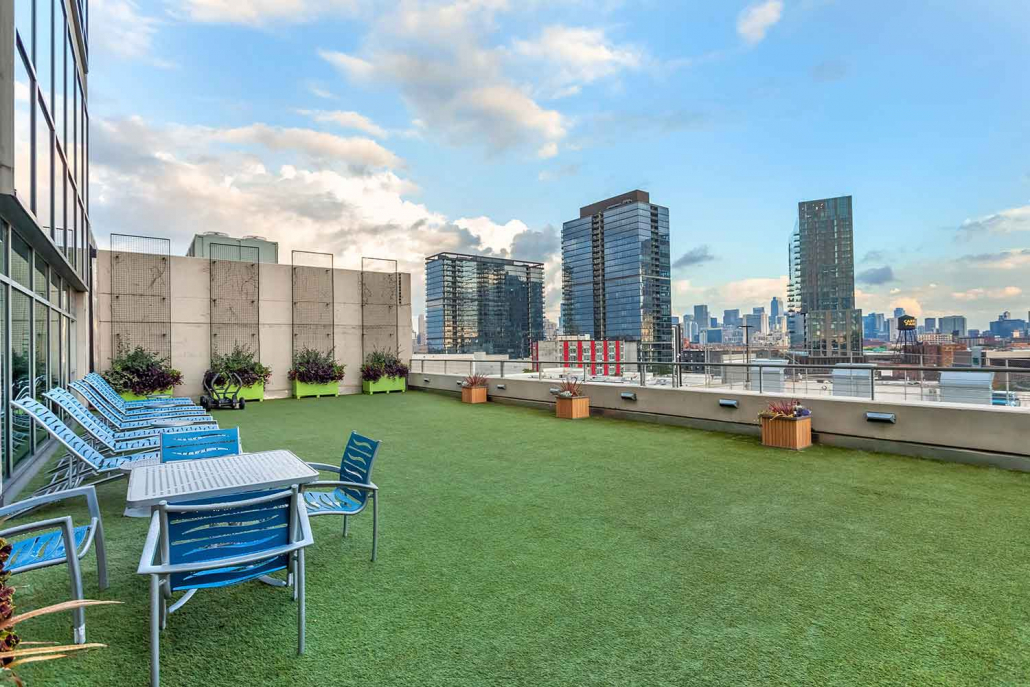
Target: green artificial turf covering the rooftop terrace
<point>520,549</point>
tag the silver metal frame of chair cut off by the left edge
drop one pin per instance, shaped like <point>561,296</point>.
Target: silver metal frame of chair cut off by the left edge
<point>96,535</point>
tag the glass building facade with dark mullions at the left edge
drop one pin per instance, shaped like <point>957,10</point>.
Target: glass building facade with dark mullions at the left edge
<point>46,242</point>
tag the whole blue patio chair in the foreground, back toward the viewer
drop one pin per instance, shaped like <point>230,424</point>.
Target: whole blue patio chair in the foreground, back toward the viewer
<point>191,547</point>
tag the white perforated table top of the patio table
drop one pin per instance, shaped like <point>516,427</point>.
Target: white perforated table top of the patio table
<point>187,480</point>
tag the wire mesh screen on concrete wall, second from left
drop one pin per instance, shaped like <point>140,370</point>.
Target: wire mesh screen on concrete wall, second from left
<point>235,293</point>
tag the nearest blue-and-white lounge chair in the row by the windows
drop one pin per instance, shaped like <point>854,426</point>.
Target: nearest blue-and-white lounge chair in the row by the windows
<point>85,462</point>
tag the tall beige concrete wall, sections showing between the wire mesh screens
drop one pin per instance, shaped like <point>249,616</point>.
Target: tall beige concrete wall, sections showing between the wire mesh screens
<point>191,327</point>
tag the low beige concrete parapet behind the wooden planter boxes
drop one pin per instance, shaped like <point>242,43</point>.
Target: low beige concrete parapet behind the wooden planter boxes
<point>967,434</point>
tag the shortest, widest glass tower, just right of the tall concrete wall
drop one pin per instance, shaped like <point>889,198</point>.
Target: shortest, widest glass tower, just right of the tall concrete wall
<point>479,304</point>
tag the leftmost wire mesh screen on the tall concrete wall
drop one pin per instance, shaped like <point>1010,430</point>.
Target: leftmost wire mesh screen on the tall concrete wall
<point>142,305</point>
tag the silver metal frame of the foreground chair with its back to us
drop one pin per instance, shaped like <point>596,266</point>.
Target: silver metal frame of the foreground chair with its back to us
<point>157,549</point>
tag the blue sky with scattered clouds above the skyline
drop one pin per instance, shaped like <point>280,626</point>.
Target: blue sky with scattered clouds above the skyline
<point>401,129</point>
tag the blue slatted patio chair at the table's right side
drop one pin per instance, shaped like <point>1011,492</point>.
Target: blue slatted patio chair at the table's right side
<point>352,493</point>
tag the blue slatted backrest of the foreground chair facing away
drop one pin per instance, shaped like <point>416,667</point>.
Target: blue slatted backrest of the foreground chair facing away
<point>210,536</point>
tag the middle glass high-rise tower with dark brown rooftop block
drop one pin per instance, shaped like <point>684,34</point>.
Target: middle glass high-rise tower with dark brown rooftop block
<point>615,274</point>
